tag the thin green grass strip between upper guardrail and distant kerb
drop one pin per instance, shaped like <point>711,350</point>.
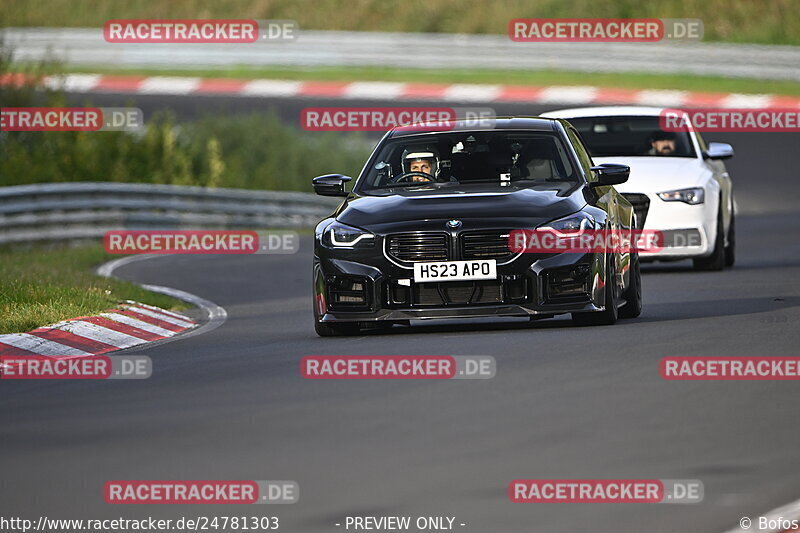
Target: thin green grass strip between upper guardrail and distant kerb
<point>509,77</point>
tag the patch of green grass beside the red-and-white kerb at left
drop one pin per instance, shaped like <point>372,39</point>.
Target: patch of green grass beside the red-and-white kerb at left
<point>41,285</point>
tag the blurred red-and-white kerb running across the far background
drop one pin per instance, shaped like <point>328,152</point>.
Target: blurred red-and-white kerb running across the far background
<point>378,90</point>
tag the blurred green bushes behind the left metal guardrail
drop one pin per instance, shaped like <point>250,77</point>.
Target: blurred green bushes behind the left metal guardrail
<point>254,151</point>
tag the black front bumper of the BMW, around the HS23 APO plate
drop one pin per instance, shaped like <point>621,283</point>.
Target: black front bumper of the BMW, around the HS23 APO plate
<point>364,285</point>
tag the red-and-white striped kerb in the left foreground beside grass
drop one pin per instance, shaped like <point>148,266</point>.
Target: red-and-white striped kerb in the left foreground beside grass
<point>132,324</point>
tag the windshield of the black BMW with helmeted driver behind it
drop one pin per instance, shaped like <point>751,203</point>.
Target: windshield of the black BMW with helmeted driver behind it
<point>486,160</point>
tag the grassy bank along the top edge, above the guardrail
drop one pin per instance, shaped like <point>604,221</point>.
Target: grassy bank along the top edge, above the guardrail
<point>754,21</point>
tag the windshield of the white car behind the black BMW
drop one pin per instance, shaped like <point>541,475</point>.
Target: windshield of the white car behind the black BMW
<point>631,136</point>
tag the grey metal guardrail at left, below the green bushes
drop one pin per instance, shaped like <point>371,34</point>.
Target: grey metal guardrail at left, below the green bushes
<point>56,211</point>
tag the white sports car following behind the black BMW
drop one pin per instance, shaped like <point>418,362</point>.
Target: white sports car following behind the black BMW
<point>678,184</point>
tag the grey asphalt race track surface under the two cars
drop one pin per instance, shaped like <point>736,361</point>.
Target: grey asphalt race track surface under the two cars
<point>567,402</point>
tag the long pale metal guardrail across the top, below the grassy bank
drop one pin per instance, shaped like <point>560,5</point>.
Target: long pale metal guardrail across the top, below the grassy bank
<point>85,46</point>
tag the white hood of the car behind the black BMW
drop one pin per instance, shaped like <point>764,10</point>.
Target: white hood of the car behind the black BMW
<point>653,174</point>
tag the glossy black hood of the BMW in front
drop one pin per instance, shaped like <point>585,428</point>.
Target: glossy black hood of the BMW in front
<point>409,207</point>
